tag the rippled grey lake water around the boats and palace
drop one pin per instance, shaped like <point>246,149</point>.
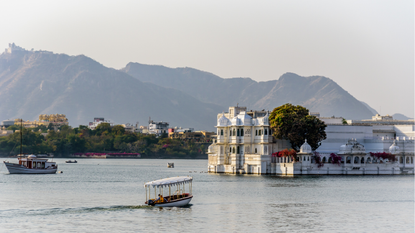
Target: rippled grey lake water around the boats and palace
<point>97,195</point>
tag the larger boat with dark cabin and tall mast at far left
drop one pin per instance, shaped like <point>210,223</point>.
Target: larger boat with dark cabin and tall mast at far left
<point>31,165</point>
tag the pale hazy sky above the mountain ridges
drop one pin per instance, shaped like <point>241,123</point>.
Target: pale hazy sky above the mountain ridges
<point>367,47</point>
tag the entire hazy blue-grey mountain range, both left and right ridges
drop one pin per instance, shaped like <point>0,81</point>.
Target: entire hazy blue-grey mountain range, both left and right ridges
<point>39,82</point>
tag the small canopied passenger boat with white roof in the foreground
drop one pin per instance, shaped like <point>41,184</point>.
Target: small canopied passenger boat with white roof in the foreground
<point>177,195</point>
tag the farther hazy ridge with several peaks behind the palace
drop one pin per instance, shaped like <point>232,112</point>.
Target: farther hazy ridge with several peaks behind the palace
<point>317,93</point>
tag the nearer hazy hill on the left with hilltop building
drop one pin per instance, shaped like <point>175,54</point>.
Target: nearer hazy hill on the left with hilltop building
<point>33,83</point>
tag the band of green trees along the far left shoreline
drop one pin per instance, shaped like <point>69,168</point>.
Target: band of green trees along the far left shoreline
<point>104,138</point>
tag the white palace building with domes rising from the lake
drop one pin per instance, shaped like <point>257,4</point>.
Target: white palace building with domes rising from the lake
<point>245,145</point>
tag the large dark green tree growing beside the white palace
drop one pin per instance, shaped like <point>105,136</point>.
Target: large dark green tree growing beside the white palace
<point>295,124</point>
